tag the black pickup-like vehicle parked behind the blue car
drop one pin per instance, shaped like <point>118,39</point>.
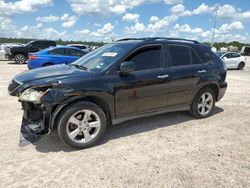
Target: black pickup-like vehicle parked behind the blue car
<point>20,53</point>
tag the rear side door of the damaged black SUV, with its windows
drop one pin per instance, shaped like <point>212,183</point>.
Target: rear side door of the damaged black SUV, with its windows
<point>185,71</point>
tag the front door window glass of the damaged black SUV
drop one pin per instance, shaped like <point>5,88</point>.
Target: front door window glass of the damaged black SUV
<point>147,58</point>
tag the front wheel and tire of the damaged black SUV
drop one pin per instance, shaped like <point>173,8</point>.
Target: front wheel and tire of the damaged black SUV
<point>81,125</point>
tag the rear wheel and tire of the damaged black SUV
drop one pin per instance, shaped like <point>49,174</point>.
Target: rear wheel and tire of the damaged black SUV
<point>200,108</point>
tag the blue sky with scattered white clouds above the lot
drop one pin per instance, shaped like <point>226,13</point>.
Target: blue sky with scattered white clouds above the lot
<point>99,20</point>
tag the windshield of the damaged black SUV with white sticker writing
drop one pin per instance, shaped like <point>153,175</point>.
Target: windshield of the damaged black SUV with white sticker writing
<point>102,57</point>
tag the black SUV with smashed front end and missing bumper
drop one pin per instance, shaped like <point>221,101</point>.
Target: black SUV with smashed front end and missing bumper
<point>127,79</point>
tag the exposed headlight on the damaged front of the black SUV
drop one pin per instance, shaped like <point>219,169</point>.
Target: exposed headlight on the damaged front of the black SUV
<point>31,95</point>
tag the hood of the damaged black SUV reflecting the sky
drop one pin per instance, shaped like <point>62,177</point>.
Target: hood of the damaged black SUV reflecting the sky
<point>50,73</point>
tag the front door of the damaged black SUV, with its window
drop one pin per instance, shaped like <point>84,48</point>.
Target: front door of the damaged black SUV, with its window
<point>145,89</point>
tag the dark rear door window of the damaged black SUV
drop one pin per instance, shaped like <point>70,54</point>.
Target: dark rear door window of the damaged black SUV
<point>179,55</point>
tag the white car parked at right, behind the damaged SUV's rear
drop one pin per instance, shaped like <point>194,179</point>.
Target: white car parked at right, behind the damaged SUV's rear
<point>232,60</point>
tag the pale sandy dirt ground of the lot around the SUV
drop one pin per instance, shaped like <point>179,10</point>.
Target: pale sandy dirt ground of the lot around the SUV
<point>171,150</point>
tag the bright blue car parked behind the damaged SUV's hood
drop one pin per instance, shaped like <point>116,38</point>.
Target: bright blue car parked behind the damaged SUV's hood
<point>54,56</point>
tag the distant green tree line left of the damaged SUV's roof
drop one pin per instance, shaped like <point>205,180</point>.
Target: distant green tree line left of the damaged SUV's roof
<point>59,42</point>
